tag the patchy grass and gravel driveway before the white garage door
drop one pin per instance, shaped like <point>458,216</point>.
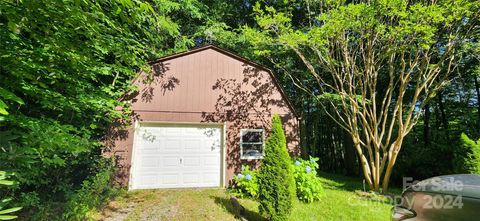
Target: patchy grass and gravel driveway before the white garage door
<point>171,204</point>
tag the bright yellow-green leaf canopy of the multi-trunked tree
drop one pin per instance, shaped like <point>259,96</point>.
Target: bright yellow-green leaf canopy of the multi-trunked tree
<point>413,25</point>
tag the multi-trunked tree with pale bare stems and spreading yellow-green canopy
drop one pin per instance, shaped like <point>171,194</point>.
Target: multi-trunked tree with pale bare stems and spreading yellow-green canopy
<point>375,65</point>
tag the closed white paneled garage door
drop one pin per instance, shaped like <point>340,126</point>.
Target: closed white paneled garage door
<point>176,156</point>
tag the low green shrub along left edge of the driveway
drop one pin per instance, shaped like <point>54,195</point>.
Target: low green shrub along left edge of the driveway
<point>94,192</point>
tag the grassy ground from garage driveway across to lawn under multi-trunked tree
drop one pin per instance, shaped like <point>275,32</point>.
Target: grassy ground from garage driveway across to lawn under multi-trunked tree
<point>343,200</point>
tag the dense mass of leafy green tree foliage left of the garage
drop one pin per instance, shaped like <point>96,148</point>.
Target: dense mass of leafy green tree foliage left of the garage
<point>66,65</point>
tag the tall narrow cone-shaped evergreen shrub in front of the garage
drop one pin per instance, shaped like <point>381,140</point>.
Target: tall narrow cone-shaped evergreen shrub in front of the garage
<point>276,184</point>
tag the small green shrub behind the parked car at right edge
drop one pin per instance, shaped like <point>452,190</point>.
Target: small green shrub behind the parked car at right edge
<point>467,159</point>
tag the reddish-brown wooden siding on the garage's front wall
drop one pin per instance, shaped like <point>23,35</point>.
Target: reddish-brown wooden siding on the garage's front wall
<point>208,86</point>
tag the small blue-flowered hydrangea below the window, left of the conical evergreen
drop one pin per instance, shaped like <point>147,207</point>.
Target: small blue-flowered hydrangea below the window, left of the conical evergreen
<point>246,184</point>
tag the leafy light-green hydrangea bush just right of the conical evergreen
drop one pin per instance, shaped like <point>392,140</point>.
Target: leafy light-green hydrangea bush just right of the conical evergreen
<point>308,184</point>
